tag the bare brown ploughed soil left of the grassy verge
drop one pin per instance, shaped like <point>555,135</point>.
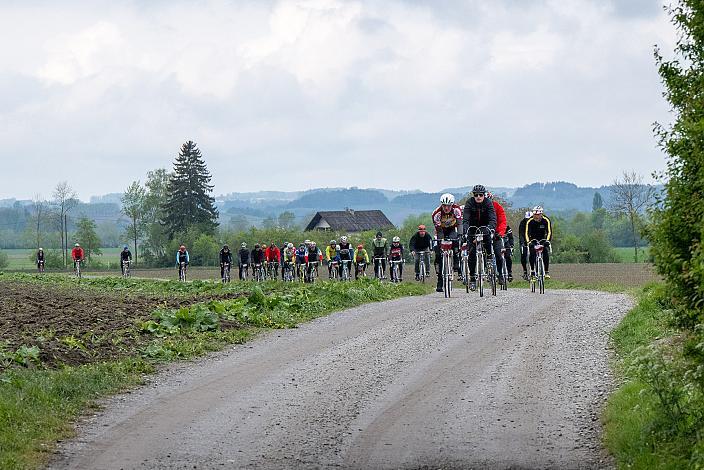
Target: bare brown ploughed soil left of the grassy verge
<point>76,326</point>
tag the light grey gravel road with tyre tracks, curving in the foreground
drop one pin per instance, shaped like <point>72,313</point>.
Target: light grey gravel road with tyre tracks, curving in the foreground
<point>514,381</point>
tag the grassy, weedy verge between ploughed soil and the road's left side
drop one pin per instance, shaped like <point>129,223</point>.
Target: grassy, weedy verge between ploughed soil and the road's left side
<point>39,403</point>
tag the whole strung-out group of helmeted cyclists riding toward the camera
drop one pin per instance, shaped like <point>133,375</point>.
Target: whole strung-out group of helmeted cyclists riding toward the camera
<point>457,225</point>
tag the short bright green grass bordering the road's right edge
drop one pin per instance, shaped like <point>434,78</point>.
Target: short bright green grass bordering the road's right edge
<point>633,412</point>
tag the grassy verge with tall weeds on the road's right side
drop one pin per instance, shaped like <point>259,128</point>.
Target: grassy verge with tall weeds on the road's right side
<point>653,420</point>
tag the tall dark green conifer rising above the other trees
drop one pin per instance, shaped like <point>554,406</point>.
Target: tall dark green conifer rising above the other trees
<point>188,202</point>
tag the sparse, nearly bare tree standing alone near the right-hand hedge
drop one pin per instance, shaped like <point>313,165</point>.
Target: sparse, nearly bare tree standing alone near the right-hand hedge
<point>629,198</point>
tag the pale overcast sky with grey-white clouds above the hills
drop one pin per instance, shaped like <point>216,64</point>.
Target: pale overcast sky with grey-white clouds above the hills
<point>292,95</point>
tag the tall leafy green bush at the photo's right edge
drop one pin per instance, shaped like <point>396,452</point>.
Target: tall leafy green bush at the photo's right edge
<point>676,233</point>
